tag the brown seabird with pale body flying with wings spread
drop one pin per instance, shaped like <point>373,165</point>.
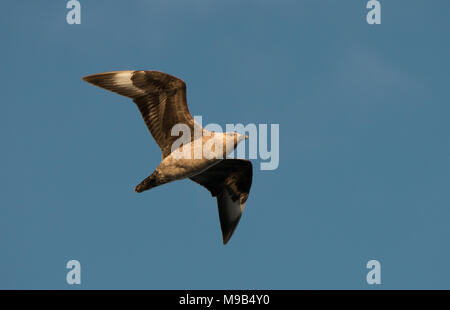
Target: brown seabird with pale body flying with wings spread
<point>161,100</point>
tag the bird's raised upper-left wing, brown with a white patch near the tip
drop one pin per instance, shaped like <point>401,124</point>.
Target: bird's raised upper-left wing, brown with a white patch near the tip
<point>160,97</point>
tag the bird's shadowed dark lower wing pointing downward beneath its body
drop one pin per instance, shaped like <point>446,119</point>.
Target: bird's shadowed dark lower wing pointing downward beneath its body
<point>229,181</point>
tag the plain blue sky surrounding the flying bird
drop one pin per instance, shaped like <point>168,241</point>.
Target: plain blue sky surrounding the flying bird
<point>364,145</point>
